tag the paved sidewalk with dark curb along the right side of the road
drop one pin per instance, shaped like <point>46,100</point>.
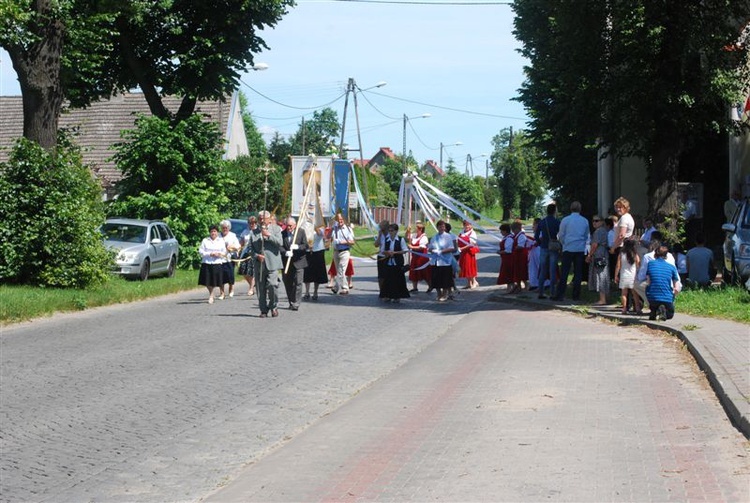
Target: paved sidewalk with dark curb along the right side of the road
<point>720,347</point>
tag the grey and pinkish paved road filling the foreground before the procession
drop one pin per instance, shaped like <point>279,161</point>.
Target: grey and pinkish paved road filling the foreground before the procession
<point>174,399</point>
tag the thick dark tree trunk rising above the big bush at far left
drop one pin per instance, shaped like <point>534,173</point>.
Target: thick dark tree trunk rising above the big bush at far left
<point>38,69</point>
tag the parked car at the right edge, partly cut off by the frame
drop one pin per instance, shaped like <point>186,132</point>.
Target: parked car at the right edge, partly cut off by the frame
<point>737,246</point>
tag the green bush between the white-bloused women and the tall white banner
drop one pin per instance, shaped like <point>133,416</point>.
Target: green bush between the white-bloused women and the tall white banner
<point>244,189</point>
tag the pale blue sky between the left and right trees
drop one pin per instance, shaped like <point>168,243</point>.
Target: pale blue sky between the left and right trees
<point>457,61</point>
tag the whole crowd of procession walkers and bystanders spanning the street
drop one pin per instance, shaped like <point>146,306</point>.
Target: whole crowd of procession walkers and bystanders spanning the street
<point>270,253</point>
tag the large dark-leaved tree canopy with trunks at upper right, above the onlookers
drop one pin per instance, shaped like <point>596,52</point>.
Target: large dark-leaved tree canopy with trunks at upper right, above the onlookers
<point>644,78</point>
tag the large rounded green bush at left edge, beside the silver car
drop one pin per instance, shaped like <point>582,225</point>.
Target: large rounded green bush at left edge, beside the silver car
<point>50,212</point>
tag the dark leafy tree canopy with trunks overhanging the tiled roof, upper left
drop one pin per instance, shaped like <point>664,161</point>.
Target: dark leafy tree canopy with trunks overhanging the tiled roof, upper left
<point>82,50</point>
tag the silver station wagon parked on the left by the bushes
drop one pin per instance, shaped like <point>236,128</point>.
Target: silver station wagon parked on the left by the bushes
<point>144,247</point>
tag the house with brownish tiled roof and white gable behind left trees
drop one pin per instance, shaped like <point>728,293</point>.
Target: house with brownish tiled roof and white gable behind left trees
<point>99,127</point>
